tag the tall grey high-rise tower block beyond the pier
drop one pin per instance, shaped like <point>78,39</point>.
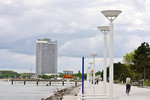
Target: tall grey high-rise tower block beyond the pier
<point>46,56</point>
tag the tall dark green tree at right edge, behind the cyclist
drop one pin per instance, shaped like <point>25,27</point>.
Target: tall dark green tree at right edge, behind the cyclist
<point>141,59</point>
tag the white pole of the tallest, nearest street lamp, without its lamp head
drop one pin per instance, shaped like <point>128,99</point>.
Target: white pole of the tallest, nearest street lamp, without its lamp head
<point>111,69</point>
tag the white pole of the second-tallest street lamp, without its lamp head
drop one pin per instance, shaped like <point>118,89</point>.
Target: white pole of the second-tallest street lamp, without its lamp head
<point>105,63</point>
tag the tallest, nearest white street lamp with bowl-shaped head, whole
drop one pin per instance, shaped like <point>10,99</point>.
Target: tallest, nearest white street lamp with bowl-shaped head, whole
<point>111,15</point>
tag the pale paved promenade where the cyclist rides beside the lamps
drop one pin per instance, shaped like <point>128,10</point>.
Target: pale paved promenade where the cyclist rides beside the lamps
<point>119,90</point>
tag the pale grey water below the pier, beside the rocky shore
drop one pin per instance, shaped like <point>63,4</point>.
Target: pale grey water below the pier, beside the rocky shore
<point>30,91</point>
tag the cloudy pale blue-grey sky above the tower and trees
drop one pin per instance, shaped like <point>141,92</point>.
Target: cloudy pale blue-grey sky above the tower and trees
<point>73,24</point>
